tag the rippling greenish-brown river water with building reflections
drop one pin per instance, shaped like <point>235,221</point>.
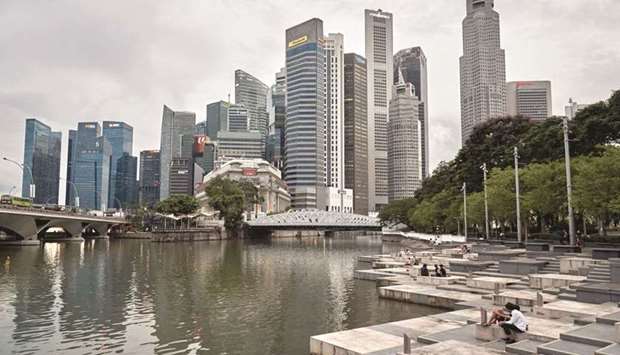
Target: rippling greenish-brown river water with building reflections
<point>235,297</point>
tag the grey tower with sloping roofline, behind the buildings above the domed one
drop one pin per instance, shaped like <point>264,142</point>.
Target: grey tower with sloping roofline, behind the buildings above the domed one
<point>252,93</point>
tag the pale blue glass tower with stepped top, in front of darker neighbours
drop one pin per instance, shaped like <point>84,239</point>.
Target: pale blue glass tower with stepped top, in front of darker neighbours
<point>92,171</point>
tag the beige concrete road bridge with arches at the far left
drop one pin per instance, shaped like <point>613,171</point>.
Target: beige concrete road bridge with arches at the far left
<point>29,224</point>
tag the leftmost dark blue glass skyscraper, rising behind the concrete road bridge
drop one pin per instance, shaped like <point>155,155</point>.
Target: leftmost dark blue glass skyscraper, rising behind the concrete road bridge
<point>41,162</point>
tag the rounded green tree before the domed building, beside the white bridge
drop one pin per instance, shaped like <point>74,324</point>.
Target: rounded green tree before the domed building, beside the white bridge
<point>227,197</point>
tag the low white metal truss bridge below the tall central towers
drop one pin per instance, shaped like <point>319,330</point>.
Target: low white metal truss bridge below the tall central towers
<point>314,220</point>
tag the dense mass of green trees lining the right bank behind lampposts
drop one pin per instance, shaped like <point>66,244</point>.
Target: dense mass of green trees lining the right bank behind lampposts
<point>541,152</point>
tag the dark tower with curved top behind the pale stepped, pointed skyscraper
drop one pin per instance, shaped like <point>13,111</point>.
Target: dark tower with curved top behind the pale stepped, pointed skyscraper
<point>410,63</point>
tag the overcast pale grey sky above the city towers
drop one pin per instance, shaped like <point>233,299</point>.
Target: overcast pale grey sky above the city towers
<point>67,61</point>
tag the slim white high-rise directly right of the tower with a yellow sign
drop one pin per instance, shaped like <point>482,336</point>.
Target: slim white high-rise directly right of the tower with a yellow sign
<point>334,126</point>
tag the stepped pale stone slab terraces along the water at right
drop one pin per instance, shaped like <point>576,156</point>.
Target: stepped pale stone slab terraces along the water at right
<point>569,297</point>
